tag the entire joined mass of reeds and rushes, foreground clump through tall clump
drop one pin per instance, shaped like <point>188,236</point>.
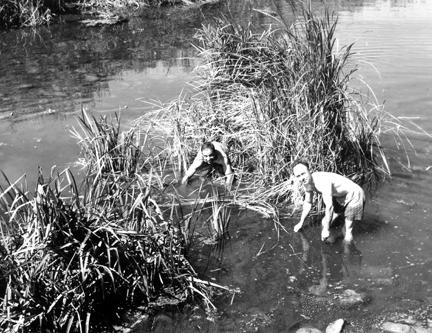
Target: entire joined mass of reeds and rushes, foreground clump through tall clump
<point>74,254</point>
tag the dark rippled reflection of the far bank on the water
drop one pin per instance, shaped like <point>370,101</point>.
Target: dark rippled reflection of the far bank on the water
<point>59,68</point>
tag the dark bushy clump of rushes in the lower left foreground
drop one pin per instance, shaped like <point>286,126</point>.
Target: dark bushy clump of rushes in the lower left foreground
<point>73,256</point>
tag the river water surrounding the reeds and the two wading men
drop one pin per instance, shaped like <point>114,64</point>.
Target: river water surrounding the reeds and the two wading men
<point>49,74</point>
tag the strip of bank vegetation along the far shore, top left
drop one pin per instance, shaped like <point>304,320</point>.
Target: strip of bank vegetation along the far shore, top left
<point>30,13</point>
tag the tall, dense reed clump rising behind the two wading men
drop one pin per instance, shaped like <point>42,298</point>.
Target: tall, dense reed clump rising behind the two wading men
<point>282,94</point>
